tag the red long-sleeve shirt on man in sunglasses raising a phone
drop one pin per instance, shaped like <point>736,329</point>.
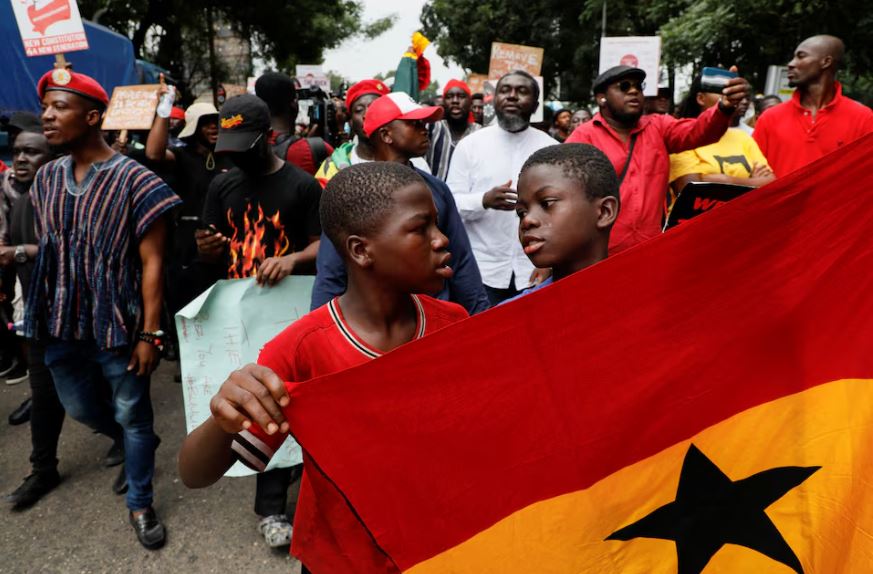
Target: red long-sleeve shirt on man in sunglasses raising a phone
<point>644,189</point>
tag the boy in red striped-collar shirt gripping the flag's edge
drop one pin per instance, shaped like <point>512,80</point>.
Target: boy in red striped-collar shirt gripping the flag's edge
<point>382,220</point>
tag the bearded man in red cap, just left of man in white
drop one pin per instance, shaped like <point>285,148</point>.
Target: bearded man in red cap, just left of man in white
<point>457,124</point>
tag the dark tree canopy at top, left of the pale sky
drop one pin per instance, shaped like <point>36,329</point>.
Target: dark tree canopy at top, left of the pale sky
<point>173,33</point>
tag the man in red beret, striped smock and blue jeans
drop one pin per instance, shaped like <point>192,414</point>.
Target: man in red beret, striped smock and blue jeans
<point>96,290</point>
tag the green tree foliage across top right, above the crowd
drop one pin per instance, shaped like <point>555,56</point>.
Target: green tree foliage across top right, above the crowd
<point>750,34</point>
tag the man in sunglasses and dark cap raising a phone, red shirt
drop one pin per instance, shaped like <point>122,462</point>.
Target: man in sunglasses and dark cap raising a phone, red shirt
<point>638,146</point>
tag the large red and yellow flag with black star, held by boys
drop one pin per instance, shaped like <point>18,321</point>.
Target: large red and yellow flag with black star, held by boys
<point>701,403</point>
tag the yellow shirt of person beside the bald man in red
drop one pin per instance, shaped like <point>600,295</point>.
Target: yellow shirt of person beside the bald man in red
<point>735,154</point>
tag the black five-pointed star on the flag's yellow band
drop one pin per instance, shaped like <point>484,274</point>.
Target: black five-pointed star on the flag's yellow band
<point>710,511</point>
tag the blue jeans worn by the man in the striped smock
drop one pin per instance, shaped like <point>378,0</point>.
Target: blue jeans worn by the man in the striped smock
<point>76,367</point>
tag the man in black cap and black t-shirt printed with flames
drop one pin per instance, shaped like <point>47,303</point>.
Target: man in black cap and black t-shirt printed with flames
<point>261,218</point>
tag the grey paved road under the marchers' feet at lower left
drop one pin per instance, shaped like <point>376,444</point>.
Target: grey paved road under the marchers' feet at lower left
<point>81,527</point>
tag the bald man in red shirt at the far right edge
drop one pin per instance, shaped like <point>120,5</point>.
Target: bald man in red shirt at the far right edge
<point>817,119</point>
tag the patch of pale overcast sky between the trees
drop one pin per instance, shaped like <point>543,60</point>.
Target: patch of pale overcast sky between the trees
<point>359,59</point>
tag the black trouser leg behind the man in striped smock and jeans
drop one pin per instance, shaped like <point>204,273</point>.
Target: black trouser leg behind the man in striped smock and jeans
<point>47,413</point>
